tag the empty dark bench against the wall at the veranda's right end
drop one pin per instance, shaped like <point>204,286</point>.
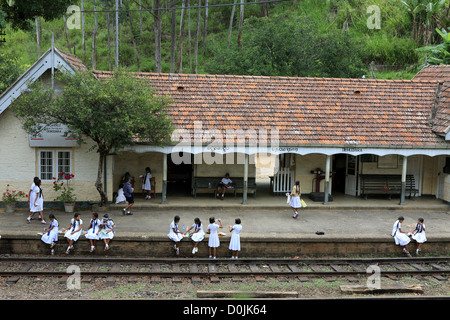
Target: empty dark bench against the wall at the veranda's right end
<point>387,184</point>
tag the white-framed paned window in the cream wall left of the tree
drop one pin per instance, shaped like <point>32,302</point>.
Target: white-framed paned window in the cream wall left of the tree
<point>52,162</point>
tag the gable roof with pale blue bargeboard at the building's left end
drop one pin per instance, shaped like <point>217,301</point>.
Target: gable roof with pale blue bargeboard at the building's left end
<point>58,59</point>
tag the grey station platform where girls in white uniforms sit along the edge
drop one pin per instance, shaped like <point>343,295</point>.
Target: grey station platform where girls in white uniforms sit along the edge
<point>349,225</point>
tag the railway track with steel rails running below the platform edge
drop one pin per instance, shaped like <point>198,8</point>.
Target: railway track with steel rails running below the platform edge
<point>196,269</point>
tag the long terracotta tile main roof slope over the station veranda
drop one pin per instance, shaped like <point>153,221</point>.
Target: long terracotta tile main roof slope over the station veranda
<point>306,111</point>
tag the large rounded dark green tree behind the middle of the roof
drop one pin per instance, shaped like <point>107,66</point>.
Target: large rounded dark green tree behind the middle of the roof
<point>288,47</point>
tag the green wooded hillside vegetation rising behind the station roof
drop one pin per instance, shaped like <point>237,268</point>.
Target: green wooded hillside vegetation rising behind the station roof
<point>338,38</point>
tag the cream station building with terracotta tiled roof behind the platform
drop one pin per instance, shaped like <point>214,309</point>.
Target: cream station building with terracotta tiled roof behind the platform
<point>359,137</point>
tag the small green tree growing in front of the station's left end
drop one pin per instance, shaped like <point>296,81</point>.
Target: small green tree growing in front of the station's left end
<point>113,113</point>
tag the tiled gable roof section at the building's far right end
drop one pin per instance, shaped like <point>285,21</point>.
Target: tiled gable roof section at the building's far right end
<point>440,114</point>
